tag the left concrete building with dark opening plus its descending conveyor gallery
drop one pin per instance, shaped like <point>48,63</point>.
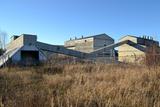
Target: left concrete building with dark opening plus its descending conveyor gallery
<point>26,50</point>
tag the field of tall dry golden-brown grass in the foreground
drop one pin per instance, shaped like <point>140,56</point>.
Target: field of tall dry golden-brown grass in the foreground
<point>80,85</point>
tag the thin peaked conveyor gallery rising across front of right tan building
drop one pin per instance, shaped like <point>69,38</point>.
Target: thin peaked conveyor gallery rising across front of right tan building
<point>101,50</point>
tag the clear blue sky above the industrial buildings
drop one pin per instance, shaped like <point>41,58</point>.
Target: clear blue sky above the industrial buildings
<point>55,21</point>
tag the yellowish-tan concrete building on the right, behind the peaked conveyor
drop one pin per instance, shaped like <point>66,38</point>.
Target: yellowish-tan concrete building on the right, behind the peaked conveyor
<point>130,53</point>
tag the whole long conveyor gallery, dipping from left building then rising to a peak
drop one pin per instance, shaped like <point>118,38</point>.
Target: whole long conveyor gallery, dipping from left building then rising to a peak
<point>65,51</point>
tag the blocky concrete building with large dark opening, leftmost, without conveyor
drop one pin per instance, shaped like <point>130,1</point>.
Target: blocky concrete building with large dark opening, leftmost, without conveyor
<point>22,49</point>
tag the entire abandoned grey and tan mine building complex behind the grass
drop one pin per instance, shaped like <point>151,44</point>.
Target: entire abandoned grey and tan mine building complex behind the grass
<point>25,49</point>
